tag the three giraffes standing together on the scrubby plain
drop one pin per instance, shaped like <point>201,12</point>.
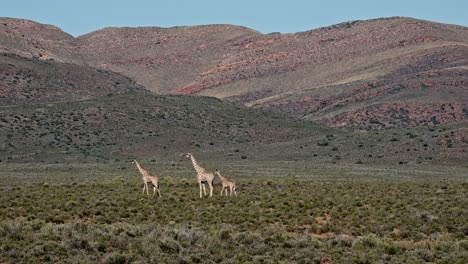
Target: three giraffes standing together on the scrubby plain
<point>203,176</point>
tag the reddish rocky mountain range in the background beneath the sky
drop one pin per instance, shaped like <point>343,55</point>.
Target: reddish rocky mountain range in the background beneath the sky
<point>394,72</point>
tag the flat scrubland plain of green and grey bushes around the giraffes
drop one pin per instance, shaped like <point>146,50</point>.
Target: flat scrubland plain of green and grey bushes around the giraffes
<point>286,212</point>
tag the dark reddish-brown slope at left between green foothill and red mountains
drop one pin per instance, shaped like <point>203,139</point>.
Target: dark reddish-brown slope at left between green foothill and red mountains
<point>30,80</point>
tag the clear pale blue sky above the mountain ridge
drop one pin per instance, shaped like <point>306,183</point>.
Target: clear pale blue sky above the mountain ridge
<point>83,16</point>
